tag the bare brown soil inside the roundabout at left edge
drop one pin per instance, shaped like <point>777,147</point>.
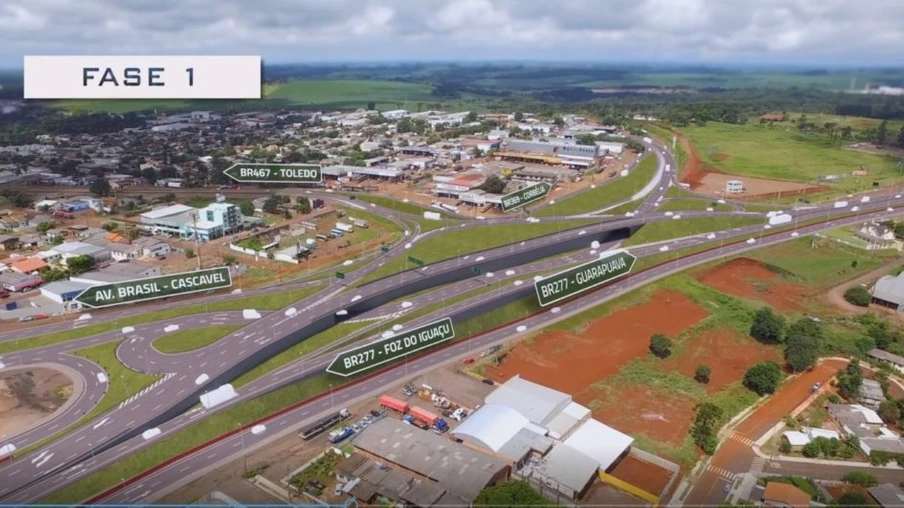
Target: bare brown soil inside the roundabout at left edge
<point>28,397</point>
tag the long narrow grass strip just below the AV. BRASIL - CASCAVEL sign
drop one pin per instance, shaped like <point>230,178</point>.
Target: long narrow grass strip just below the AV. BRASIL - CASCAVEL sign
<point>270,301</point>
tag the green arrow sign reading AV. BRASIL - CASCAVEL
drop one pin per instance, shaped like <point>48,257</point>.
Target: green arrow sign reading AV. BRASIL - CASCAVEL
<point>140,290</point>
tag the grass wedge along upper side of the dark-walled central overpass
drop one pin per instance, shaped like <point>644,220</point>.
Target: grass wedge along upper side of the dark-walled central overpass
<point>459,242</point>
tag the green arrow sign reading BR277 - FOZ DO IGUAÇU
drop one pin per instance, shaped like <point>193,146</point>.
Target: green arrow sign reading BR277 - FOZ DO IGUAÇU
<point>377,353</point>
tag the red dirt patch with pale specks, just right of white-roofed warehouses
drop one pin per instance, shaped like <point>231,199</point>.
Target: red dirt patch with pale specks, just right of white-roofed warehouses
<point>662,417</point>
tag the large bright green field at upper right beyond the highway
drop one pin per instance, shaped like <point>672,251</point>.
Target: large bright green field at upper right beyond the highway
<point>784,154</point>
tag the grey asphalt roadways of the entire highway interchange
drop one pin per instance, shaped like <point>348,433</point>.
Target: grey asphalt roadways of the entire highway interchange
<point>117,433</point>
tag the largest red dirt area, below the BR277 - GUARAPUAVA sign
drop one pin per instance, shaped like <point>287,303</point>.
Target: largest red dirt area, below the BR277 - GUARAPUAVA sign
<point>572,363</point>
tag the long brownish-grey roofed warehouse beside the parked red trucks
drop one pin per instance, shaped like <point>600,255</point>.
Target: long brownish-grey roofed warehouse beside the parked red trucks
<point>455,468</point>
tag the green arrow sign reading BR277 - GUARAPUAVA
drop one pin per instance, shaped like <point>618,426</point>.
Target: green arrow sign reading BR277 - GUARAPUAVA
<point>576,280</point>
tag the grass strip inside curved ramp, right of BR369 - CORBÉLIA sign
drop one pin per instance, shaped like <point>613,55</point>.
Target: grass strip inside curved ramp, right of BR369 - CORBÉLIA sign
<point>603,195</point>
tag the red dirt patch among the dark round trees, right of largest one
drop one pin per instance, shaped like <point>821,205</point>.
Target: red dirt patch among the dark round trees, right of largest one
<point>727,354</point>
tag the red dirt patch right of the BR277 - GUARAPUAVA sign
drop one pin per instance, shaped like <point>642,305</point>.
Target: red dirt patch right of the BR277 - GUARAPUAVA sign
<point>747,278</point>
